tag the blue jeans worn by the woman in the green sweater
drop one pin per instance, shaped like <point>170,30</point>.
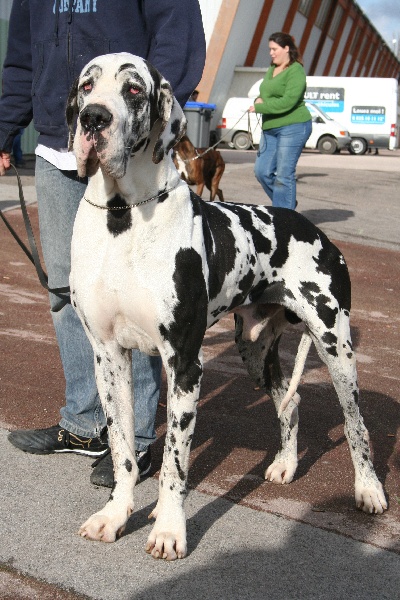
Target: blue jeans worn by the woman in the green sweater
<point>277,157</point>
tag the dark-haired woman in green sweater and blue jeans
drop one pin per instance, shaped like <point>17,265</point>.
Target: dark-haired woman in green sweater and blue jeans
<point>286,121</point>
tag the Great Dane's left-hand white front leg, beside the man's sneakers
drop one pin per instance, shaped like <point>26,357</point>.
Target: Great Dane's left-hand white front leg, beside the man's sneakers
<point>114,381</point>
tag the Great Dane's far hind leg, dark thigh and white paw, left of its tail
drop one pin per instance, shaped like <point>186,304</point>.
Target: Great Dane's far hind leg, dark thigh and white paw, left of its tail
<point>262,361</point>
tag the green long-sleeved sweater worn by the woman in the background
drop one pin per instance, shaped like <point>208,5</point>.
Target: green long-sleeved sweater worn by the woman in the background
<point>283,97</point>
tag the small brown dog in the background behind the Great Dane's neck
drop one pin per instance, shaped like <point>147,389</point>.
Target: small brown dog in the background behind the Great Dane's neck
<point>199,169</point>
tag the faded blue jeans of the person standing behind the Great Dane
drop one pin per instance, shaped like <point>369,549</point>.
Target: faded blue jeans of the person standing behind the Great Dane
<point>59,194</point>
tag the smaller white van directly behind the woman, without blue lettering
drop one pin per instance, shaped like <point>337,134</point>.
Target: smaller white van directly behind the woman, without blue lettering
<point>242,130</point>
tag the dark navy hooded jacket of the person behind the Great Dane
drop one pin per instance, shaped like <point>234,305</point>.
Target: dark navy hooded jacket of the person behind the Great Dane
<point>50,41</point>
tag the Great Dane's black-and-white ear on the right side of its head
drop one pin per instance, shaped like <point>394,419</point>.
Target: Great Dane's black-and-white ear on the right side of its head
<point>173,122</point>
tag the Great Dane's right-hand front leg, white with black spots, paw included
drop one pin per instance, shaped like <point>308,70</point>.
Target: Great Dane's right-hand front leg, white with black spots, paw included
<point>168,537</point>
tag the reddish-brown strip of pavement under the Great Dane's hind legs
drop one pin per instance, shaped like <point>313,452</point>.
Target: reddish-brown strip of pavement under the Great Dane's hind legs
<point>237,432</point>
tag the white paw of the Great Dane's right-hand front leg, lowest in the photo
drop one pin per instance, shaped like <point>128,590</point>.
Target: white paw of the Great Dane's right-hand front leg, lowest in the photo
<point>168,539</point>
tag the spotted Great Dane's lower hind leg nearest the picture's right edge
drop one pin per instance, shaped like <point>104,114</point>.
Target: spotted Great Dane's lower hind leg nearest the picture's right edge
<point>341,362</point>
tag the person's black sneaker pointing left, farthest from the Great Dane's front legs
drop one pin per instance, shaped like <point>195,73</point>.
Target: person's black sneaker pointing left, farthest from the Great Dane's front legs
<point>56,439</point>
